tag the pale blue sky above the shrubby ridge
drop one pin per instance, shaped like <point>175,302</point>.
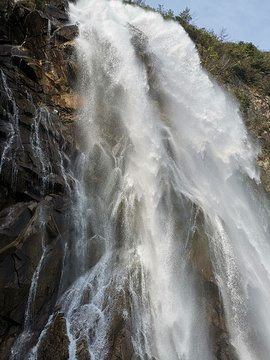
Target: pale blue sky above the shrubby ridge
<point>244,20</point>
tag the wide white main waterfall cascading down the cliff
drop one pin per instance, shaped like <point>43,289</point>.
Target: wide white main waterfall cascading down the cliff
<point>167,166</point>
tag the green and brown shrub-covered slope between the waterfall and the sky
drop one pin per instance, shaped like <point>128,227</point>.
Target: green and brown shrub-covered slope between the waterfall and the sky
<point>241,68</point>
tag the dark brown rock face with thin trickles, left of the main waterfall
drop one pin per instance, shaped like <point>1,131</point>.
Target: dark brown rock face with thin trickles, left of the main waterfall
<point>38,103</point>
